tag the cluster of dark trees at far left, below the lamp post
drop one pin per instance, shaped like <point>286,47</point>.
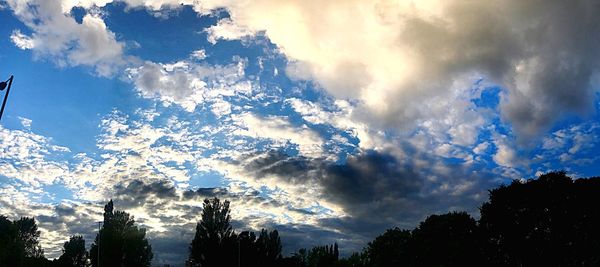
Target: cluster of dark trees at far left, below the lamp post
<point>121,244</point>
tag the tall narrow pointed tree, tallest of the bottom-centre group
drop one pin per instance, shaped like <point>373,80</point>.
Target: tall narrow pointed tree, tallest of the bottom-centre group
<point>214,243</point>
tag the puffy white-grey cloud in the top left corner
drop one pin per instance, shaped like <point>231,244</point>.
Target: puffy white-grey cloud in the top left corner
<point>57,36</point>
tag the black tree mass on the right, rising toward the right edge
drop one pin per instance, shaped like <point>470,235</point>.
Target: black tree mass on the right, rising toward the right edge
<point>550,221</point>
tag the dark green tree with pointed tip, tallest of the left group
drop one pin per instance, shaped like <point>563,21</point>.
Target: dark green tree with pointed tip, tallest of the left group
<point>121,242</point>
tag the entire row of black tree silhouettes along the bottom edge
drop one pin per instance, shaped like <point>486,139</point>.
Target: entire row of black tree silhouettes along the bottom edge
<point>549,221</point>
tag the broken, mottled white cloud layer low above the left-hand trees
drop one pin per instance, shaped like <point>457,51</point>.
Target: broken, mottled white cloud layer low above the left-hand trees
<point>138,158</point>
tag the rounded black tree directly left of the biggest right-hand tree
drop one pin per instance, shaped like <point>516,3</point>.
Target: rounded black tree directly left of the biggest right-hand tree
<point>450,239</point>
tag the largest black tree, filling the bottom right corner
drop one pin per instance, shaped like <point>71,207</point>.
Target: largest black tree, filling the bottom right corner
<point>549,221</point>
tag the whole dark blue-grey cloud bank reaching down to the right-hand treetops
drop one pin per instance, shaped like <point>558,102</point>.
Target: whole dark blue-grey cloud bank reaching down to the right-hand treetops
<point>375,189</point>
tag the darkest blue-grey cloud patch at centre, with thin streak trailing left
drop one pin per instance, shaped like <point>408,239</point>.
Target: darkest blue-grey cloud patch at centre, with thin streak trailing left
<point>364,178</point>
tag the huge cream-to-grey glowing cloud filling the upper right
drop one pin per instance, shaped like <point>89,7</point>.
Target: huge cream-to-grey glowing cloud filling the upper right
<point>395,56</point>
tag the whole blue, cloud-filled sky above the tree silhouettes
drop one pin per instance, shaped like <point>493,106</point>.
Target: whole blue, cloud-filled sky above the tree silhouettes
<point>329,121</point>
